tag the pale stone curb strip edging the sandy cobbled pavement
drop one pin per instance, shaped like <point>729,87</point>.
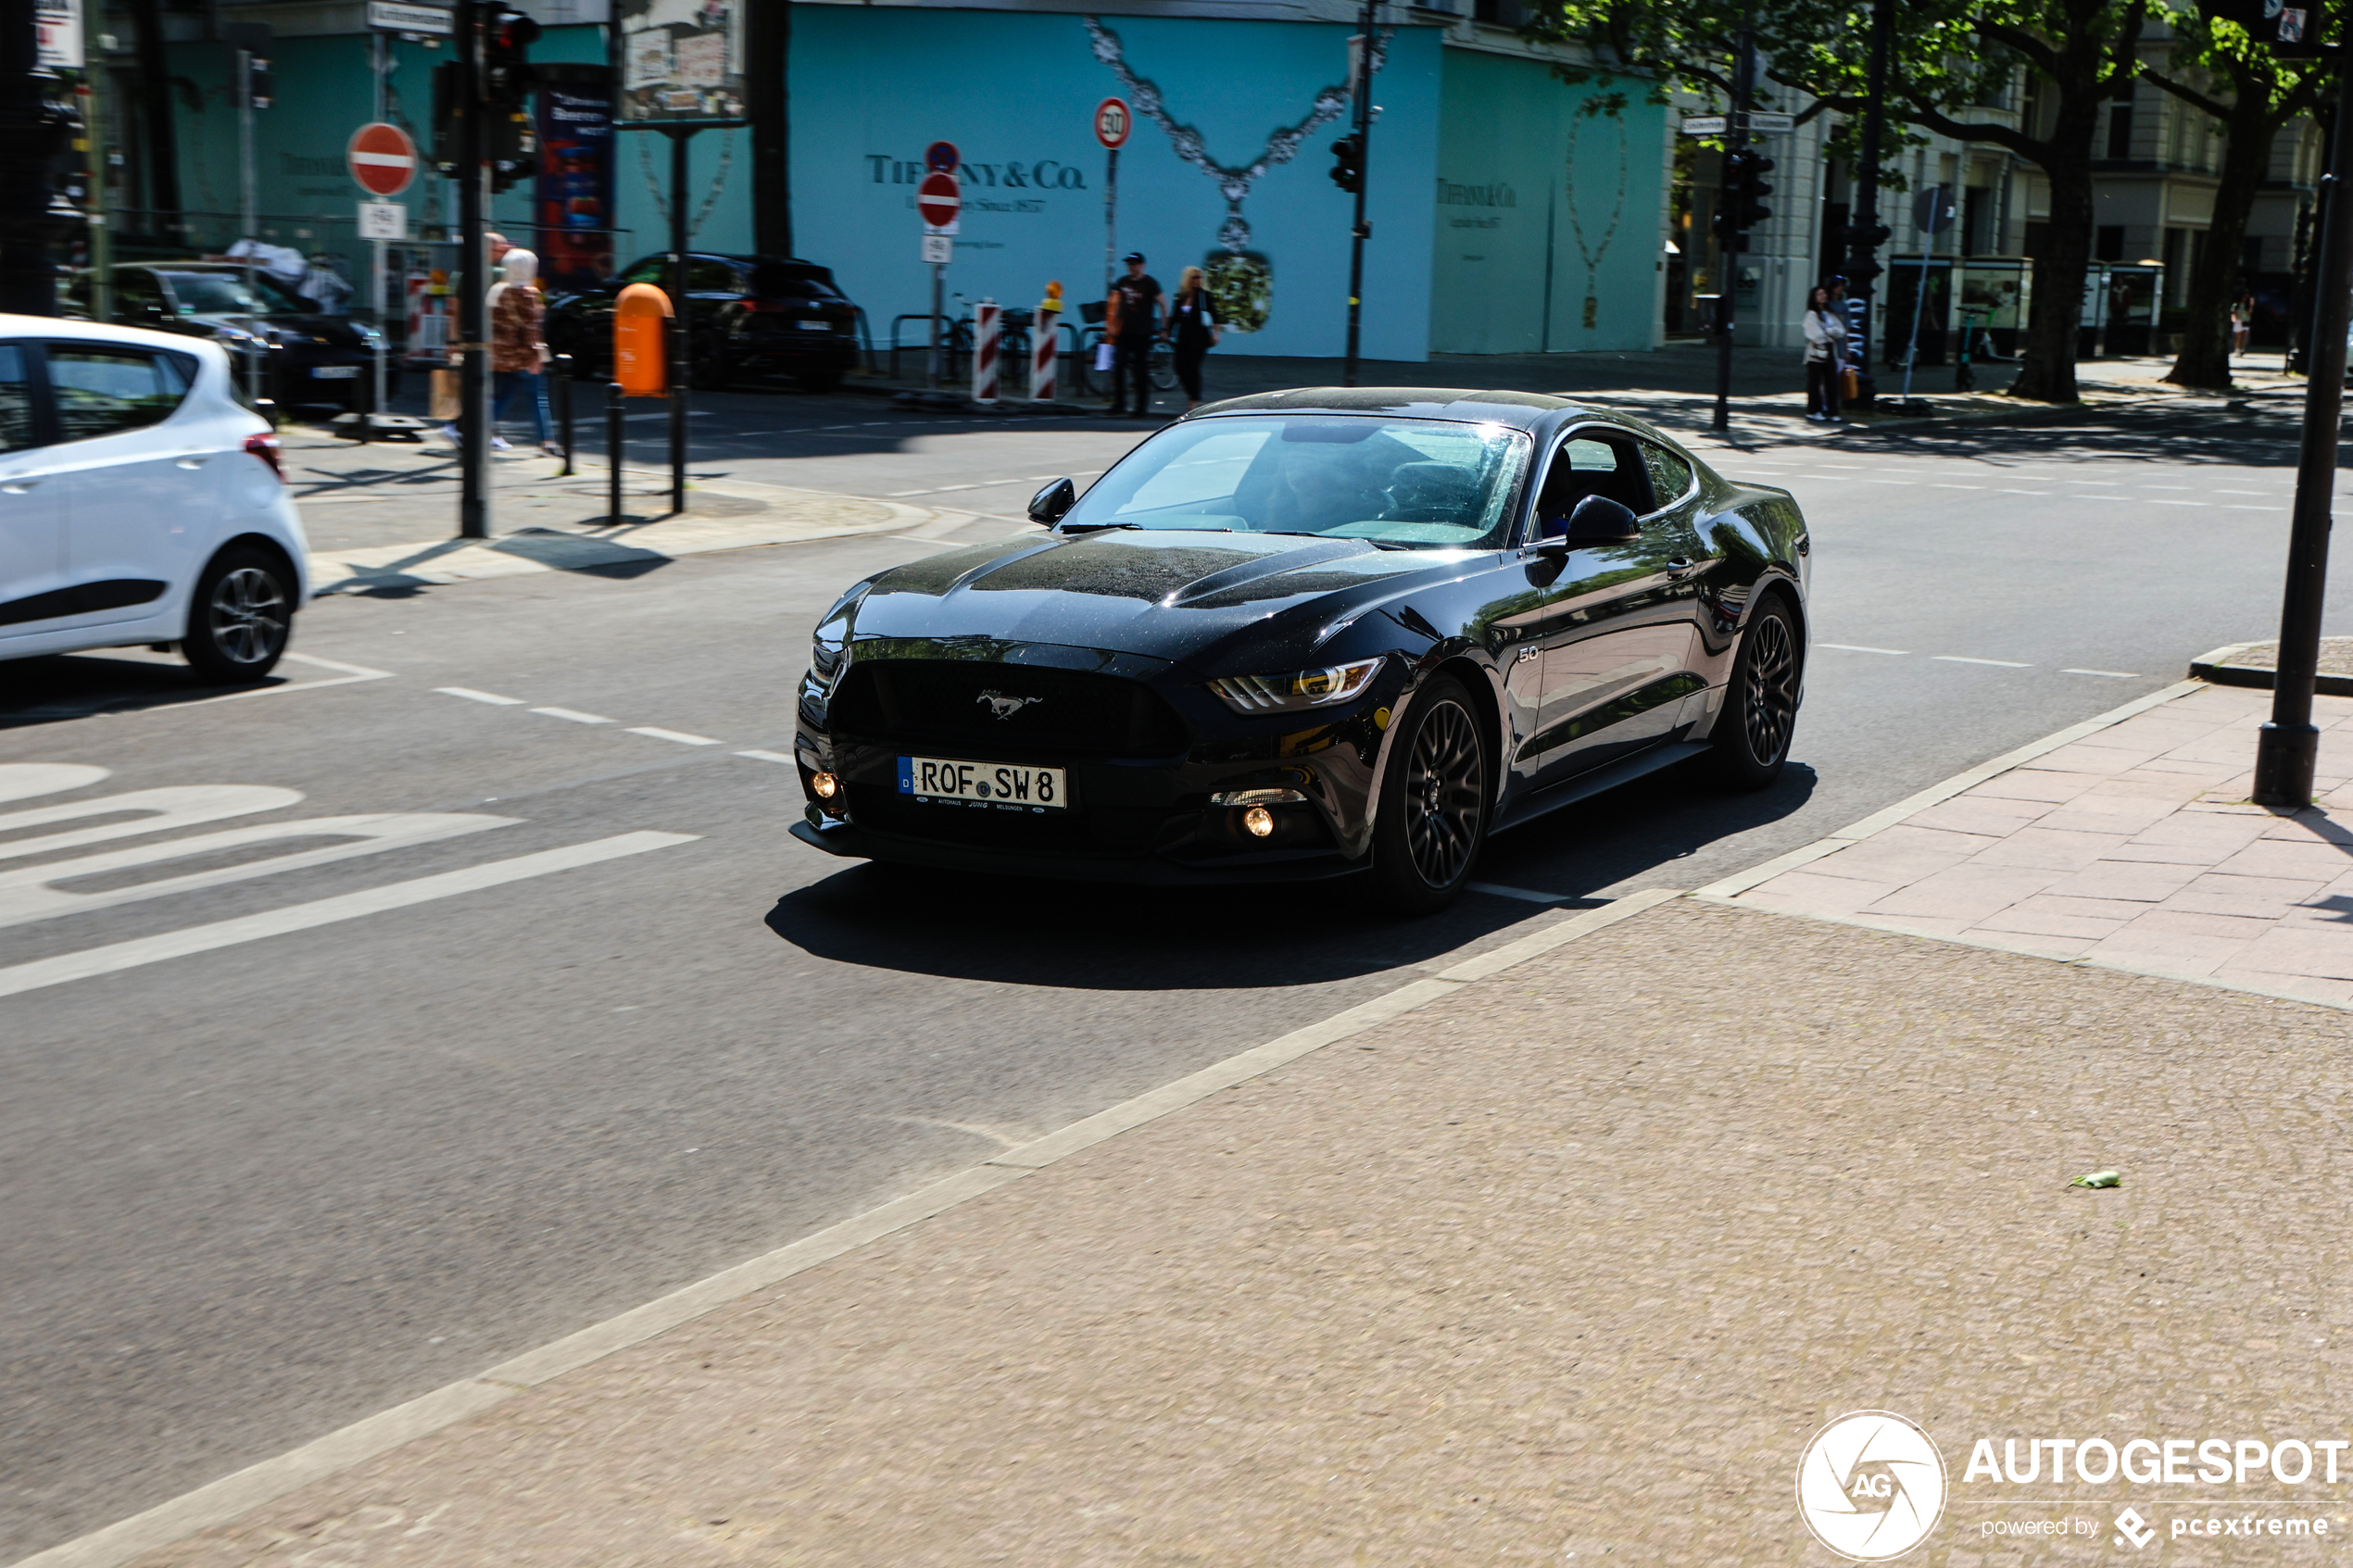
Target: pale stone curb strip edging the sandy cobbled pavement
<point>455,1402</point>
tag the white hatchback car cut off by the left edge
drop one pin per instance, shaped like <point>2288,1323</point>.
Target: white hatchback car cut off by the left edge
<point>140,502</point>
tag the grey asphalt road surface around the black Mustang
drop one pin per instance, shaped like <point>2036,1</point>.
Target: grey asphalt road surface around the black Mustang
<point>269,1188</point>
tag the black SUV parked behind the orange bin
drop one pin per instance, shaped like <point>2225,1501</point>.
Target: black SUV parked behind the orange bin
<point>747,314</point>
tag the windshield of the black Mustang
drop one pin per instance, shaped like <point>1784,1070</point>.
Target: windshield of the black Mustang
<point>1425,483</point>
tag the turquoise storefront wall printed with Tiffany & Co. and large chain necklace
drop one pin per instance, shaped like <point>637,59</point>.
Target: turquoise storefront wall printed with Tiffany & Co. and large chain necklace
<point>1018,93</point>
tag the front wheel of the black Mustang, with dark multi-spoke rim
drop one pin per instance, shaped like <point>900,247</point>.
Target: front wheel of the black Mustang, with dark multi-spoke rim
<point>1434,803</point>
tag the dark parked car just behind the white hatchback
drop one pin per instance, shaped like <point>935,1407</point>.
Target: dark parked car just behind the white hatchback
<point>307,359</point>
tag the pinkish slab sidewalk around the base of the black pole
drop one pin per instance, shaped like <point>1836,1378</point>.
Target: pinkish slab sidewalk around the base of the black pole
<point>2135,847</point>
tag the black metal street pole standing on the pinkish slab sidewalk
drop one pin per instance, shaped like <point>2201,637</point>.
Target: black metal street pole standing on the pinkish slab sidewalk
<point>2291,746</point>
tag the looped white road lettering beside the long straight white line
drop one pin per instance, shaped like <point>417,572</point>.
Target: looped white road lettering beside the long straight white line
<point>32,892</point>
